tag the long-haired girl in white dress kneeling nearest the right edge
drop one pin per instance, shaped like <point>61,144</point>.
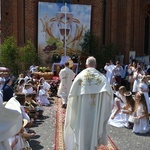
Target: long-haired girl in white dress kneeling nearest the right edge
<point>141,124</point>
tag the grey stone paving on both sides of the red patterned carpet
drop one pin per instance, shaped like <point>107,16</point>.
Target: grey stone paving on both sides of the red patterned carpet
<point>123,138</point>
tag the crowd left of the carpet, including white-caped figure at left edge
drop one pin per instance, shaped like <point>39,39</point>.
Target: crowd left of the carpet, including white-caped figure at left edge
<point>23,99</point>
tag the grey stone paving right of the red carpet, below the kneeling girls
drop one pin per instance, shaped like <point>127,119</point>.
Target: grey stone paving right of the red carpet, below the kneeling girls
<point>124,139</point>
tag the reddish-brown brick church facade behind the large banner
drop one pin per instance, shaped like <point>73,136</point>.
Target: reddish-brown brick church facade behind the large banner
<point>125,23</point>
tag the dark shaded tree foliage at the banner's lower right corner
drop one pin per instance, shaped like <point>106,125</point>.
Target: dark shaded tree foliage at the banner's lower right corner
<point>102,53</point>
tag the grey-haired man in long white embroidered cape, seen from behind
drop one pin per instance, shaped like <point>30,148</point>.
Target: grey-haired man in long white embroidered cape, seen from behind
<point>89,107</point>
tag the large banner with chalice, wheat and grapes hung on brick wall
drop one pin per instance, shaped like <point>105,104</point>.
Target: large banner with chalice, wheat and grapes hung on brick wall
<point>61,28</point>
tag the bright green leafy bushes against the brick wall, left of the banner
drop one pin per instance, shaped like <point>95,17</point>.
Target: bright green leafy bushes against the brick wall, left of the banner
<point>15,58</point>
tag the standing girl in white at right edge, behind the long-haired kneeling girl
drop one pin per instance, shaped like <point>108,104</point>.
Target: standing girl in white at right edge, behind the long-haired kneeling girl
<point>144,89</point>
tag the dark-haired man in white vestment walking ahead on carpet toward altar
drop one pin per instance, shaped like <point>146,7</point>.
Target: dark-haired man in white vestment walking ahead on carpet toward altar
<point>66,77</point>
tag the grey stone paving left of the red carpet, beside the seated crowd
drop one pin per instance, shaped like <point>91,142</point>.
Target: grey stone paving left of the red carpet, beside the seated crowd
<point>45,130</point>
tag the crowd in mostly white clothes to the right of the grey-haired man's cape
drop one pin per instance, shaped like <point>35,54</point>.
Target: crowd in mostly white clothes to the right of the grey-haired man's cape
<point>130,84</point>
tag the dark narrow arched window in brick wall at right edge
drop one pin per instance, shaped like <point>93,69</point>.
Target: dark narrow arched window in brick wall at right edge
<point>147,34</point>
